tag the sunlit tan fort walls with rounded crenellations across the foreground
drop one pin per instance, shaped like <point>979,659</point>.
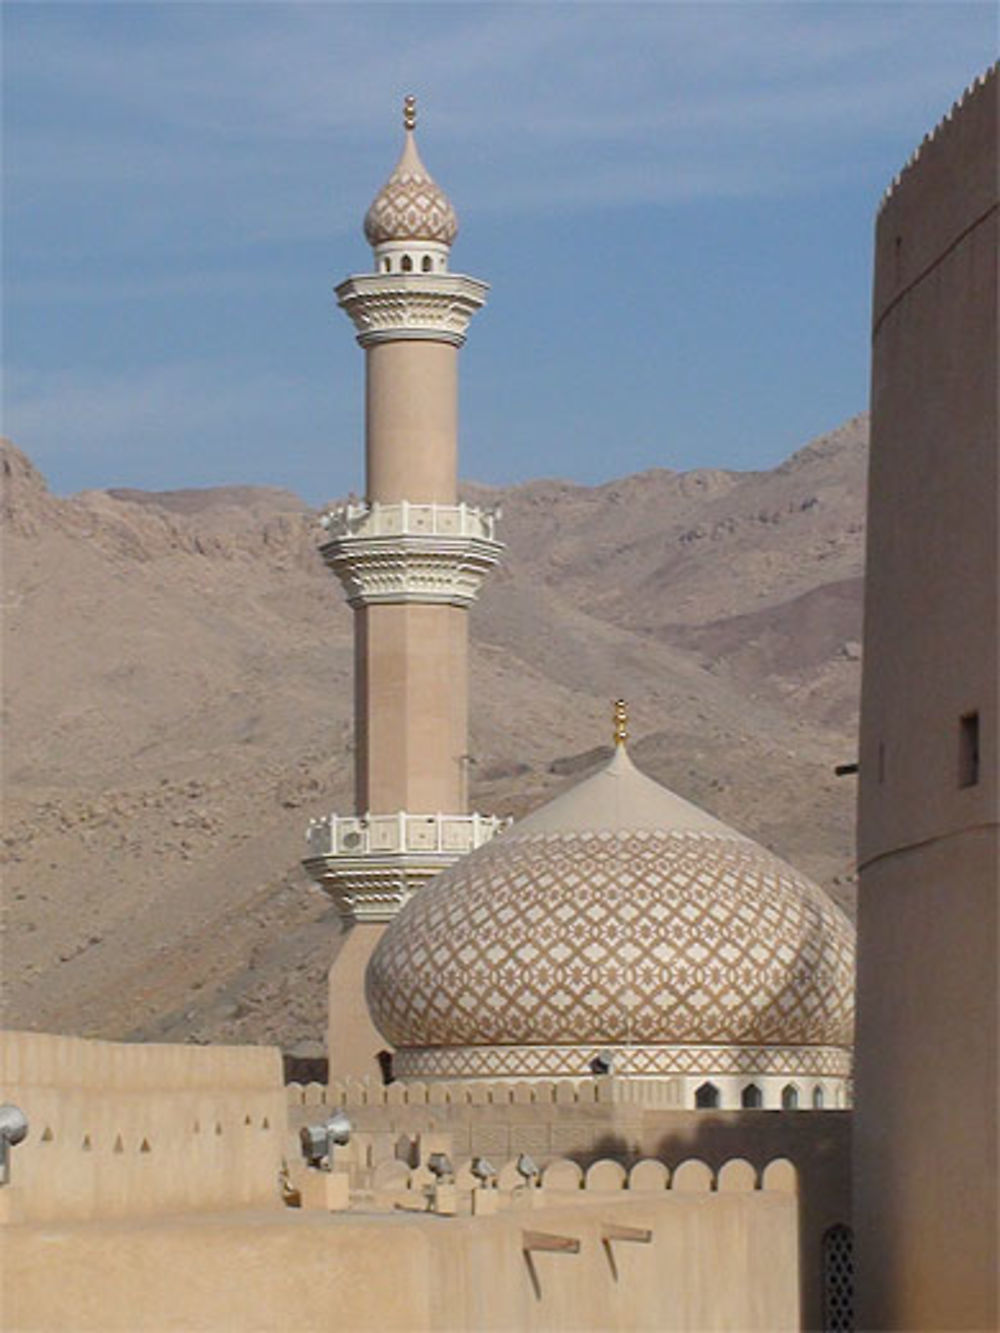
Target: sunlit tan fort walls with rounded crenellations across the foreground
<point>151,1194</point>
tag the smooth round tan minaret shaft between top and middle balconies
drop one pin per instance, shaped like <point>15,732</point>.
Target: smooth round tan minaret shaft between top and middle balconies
<point>413,422</point>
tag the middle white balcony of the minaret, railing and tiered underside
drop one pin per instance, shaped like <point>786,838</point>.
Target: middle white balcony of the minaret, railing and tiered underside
<point>411,553</point>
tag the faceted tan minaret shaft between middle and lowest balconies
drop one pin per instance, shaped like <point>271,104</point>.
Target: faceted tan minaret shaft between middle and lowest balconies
<point>411,708</point>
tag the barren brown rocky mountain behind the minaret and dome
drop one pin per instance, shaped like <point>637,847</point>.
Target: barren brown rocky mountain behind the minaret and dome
<point>178,699</point>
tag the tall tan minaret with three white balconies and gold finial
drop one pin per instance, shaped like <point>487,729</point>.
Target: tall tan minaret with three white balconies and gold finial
<point>411,561</point>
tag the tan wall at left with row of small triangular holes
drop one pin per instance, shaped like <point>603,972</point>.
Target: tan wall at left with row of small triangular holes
<point>130,1131</point>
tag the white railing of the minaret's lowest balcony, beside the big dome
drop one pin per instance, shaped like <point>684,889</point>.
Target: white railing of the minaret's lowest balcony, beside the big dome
<point>401,834</point>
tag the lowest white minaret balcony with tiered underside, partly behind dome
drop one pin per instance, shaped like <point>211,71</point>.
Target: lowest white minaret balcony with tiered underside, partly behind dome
<point>373,864</point>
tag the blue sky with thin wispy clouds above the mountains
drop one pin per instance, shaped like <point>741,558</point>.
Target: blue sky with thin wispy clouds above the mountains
<point>674,205</point>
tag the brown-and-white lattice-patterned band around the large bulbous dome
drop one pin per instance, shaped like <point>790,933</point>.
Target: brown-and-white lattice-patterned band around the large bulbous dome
<point>638,938</point>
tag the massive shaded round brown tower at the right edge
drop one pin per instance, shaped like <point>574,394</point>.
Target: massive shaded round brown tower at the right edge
<point>926,1166</point>
